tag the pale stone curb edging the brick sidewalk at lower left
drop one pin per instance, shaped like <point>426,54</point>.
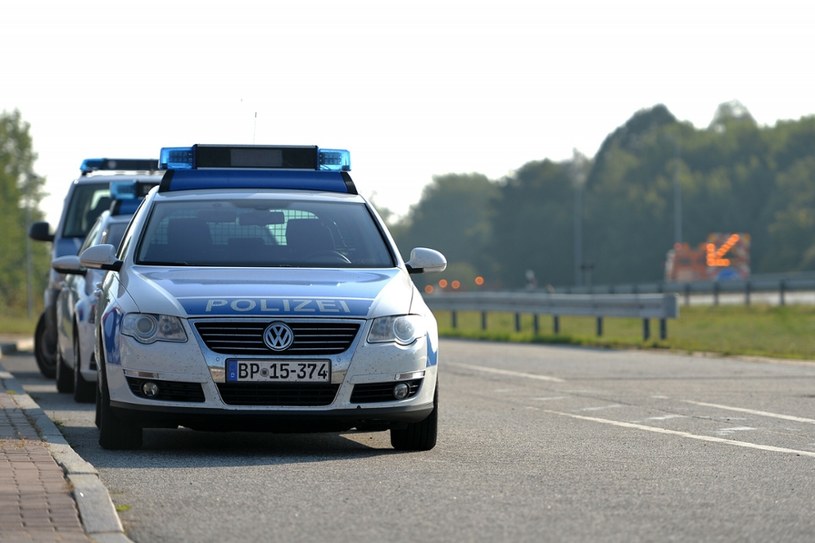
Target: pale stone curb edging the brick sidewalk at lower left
<point>96,510</point>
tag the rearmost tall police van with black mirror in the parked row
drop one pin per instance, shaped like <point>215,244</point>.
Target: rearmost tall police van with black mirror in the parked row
<point>87,197</point>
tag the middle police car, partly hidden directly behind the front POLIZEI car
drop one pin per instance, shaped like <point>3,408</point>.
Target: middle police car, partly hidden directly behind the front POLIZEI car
<point>76,301</point>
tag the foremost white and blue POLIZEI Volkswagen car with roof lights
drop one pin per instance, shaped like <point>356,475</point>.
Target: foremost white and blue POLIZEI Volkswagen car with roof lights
<point>256,289</point>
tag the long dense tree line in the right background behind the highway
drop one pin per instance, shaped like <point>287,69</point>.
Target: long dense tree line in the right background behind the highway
<point>612,218</point>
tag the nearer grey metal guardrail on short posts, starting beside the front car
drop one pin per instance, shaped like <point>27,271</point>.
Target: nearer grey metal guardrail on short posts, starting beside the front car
<point>600,306</point>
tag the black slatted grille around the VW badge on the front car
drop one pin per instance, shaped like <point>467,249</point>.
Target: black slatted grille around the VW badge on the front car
<point>246,338</point>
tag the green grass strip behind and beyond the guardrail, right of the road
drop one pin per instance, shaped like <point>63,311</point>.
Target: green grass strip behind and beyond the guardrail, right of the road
<point>769,331</point>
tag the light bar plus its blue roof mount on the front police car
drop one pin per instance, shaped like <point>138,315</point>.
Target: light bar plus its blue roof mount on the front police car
<point>256,167</point>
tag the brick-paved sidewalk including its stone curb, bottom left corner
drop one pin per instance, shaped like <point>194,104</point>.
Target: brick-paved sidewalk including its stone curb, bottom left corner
<point>48,493</point>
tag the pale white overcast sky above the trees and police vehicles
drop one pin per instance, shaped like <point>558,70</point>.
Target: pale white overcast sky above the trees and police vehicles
<point>412,89</point>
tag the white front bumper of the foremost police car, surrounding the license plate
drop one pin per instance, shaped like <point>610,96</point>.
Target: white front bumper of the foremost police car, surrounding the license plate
<point>193,391</point>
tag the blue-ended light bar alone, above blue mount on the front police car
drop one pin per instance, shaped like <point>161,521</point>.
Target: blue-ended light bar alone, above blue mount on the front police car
<point>254,157</point>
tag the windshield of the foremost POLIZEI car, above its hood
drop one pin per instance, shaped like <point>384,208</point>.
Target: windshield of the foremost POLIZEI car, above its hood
<point>271,232</point>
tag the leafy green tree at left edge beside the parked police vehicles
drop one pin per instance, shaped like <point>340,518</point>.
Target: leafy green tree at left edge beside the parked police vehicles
<point>21,191</point>
